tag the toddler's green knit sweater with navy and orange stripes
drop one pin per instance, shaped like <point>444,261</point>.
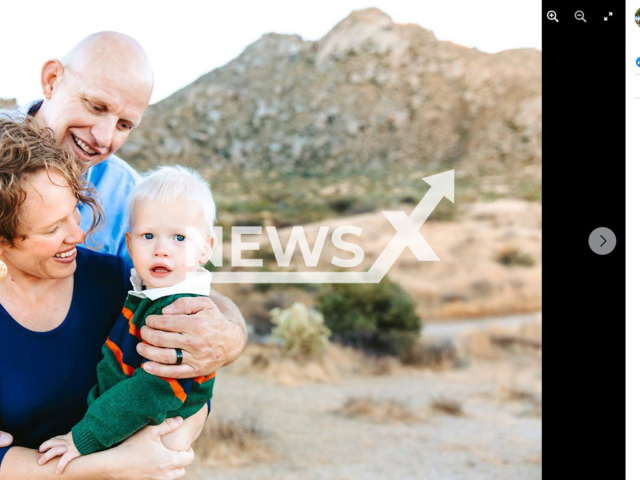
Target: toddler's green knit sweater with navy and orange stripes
<point>126,397</point>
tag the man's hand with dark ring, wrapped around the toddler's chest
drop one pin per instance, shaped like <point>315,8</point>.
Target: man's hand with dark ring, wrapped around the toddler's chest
<point>209,334</point>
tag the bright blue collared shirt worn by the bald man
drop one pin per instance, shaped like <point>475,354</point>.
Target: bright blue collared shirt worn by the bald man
<point>114,179</point>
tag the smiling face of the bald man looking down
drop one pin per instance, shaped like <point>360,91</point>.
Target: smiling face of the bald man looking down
<point>92,113</point>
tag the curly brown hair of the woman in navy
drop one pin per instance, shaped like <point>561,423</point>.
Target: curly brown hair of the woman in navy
<point>26,148</point>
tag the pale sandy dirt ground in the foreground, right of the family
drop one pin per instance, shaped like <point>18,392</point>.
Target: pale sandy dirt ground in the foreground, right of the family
<point>497,437</point>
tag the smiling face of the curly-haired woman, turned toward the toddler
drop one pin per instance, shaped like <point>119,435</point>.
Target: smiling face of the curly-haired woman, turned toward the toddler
<point>49,219</point>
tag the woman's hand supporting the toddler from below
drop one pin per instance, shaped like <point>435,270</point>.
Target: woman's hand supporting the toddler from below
<point>143,457</point>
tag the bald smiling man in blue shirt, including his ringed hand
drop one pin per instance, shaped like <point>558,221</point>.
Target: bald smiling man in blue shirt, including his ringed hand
<point>93,98</point>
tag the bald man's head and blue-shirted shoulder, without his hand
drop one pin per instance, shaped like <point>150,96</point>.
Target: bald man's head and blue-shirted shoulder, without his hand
<point>93,97</point>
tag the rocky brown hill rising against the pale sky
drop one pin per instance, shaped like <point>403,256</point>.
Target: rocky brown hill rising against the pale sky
<point>372,98</point>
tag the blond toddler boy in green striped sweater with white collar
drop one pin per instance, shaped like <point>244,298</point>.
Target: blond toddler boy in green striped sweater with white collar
<point>171,234</point>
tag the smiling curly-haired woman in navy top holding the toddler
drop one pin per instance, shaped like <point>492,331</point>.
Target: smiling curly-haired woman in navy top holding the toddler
<point>57,305</point>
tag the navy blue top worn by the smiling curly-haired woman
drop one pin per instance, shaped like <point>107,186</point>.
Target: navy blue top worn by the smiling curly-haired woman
<point>45,377</point>
